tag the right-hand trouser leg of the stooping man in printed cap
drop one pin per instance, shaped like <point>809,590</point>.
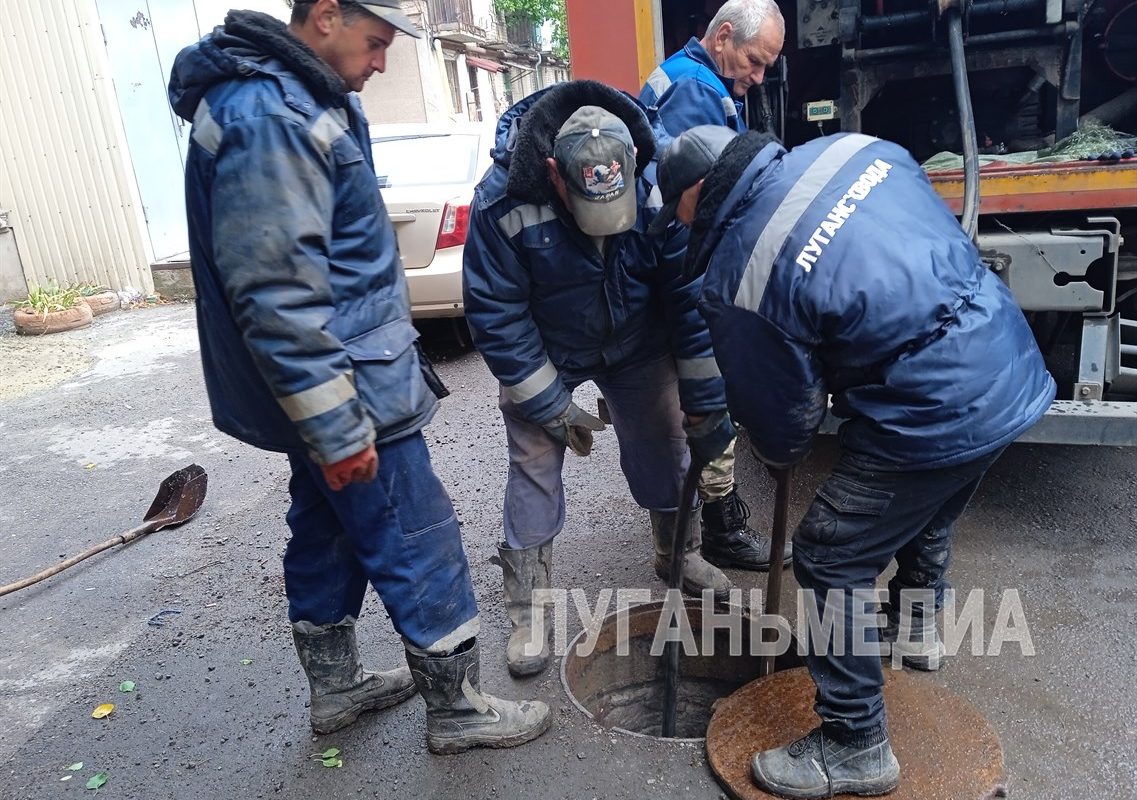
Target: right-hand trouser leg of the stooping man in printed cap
<point>644,404</point>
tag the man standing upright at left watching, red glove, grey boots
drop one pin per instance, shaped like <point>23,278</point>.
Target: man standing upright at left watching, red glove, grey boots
<point>309,351</point>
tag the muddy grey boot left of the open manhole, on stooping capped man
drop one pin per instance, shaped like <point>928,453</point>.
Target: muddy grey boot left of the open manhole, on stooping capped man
<point>525,572</point>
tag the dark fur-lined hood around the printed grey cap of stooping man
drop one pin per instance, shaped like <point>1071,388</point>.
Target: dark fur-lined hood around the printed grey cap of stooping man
<point>526,134</point>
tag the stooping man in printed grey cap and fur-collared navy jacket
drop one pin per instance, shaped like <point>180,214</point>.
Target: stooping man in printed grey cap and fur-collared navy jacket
<point>563,286</point>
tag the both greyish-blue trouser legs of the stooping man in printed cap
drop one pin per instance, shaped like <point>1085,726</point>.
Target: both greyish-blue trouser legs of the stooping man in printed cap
<point>644,404</point>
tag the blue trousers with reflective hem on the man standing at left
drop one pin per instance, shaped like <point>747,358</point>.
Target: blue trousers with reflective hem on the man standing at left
<point>399,532</point>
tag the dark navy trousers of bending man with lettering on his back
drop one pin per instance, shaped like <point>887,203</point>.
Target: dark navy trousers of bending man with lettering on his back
<point>862,519</point>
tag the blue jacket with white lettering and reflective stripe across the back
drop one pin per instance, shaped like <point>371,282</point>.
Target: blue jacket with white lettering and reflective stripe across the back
<point>835,269</point>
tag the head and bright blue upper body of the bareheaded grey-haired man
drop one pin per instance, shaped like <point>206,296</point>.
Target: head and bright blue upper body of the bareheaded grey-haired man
<point>706,81</point>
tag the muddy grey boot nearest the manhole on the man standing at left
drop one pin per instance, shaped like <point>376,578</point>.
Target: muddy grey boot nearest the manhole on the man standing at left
<point>460,716</point>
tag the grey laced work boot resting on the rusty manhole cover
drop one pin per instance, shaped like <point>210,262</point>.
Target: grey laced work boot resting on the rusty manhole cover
<point>816,766</point>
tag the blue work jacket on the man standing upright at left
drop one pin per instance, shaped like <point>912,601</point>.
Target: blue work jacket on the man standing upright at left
<point>303,312</point>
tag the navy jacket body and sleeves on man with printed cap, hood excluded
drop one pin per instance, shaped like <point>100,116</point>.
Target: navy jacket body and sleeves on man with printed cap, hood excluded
<point>549,311</point>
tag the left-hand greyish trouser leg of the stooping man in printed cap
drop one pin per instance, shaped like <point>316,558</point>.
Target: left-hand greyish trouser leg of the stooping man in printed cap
<point>534,511</point>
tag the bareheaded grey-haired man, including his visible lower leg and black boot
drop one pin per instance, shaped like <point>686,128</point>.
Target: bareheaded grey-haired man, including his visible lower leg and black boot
<point>702,86</point>
